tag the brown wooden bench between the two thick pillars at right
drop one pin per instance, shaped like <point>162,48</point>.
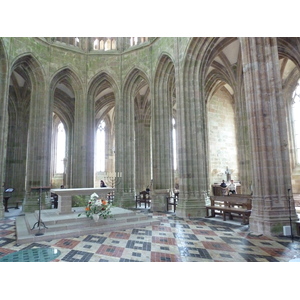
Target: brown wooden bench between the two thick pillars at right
<point>232,206</point>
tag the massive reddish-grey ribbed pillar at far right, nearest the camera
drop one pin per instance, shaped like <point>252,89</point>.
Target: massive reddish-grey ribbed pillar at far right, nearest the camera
<point>268,135</point>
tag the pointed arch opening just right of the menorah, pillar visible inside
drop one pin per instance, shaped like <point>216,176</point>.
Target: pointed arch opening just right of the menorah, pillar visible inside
<point>136,117</point>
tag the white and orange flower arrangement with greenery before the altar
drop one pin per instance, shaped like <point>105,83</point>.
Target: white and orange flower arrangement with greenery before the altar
<point>97,206</point>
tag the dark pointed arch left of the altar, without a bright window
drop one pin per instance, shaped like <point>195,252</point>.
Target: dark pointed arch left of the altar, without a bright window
<point>29,130</point>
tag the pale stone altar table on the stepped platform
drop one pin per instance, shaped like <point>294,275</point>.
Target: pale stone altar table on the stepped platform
<point>65,196</point>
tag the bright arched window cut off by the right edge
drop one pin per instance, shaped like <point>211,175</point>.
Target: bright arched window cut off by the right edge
<point>296,120</point>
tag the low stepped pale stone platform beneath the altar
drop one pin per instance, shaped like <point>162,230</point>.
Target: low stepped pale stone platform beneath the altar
<point>54,225</point>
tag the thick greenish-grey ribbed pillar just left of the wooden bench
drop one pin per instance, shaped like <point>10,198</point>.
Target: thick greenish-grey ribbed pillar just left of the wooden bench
<point>192,139</point>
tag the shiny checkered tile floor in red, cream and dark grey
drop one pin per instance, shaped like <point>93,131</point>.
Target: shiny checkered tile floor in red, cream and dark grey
<point>174,240</point>
